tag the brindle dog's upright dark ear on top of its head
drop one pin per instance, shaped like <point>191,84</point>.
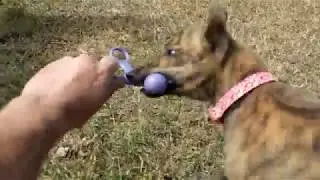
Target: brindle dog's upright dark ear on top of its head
<point>216,33</point>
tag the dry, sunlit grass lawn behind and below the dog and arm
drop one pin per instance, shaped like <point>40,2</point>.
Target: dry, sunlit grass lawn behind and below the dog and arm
<point>133,137</point>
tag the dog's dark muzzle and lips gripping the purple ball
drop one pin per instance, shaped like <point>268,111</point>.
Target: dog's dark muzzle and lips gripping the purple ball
<point>137,78</point>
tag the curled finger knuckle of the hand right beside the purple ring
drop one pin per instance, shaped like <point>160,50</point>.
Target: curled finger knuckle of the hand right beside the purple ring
<point>109,65</point>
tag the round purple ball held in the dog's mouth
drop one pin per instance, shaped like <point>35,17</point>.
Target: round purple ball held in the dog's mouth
<point>155,84</point>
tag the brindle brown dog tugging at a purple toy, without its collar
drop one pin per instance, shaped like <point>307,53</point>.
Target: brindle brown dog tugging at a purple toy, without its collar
<point>271,133</point>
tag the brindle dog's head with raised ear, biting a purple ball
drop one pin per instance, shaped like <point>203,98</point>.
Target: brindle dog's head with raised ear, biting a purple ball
<point>193,59</point>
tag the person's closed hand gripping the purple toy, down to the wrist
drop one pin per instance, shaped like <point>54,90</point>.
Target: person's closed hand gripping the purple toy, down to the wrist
<point>73,89</point>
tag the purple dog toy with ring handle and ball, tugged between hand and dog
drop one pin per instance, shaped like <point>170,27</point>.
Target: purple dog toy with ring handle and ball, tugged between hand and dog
<point>154,84</point>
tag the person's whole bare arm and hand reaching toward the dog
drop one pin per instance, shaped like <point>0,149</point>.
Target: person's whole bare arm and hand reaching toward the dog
<point>60,97</point>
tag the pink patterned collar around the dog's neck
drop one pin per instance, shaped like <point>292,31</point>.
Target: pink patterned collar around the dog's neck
<point>236,92</point>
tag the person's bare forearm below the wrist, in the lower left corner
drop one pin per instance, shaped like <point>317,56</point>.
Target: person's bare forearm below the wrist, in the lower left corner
<point>27,133</point>
